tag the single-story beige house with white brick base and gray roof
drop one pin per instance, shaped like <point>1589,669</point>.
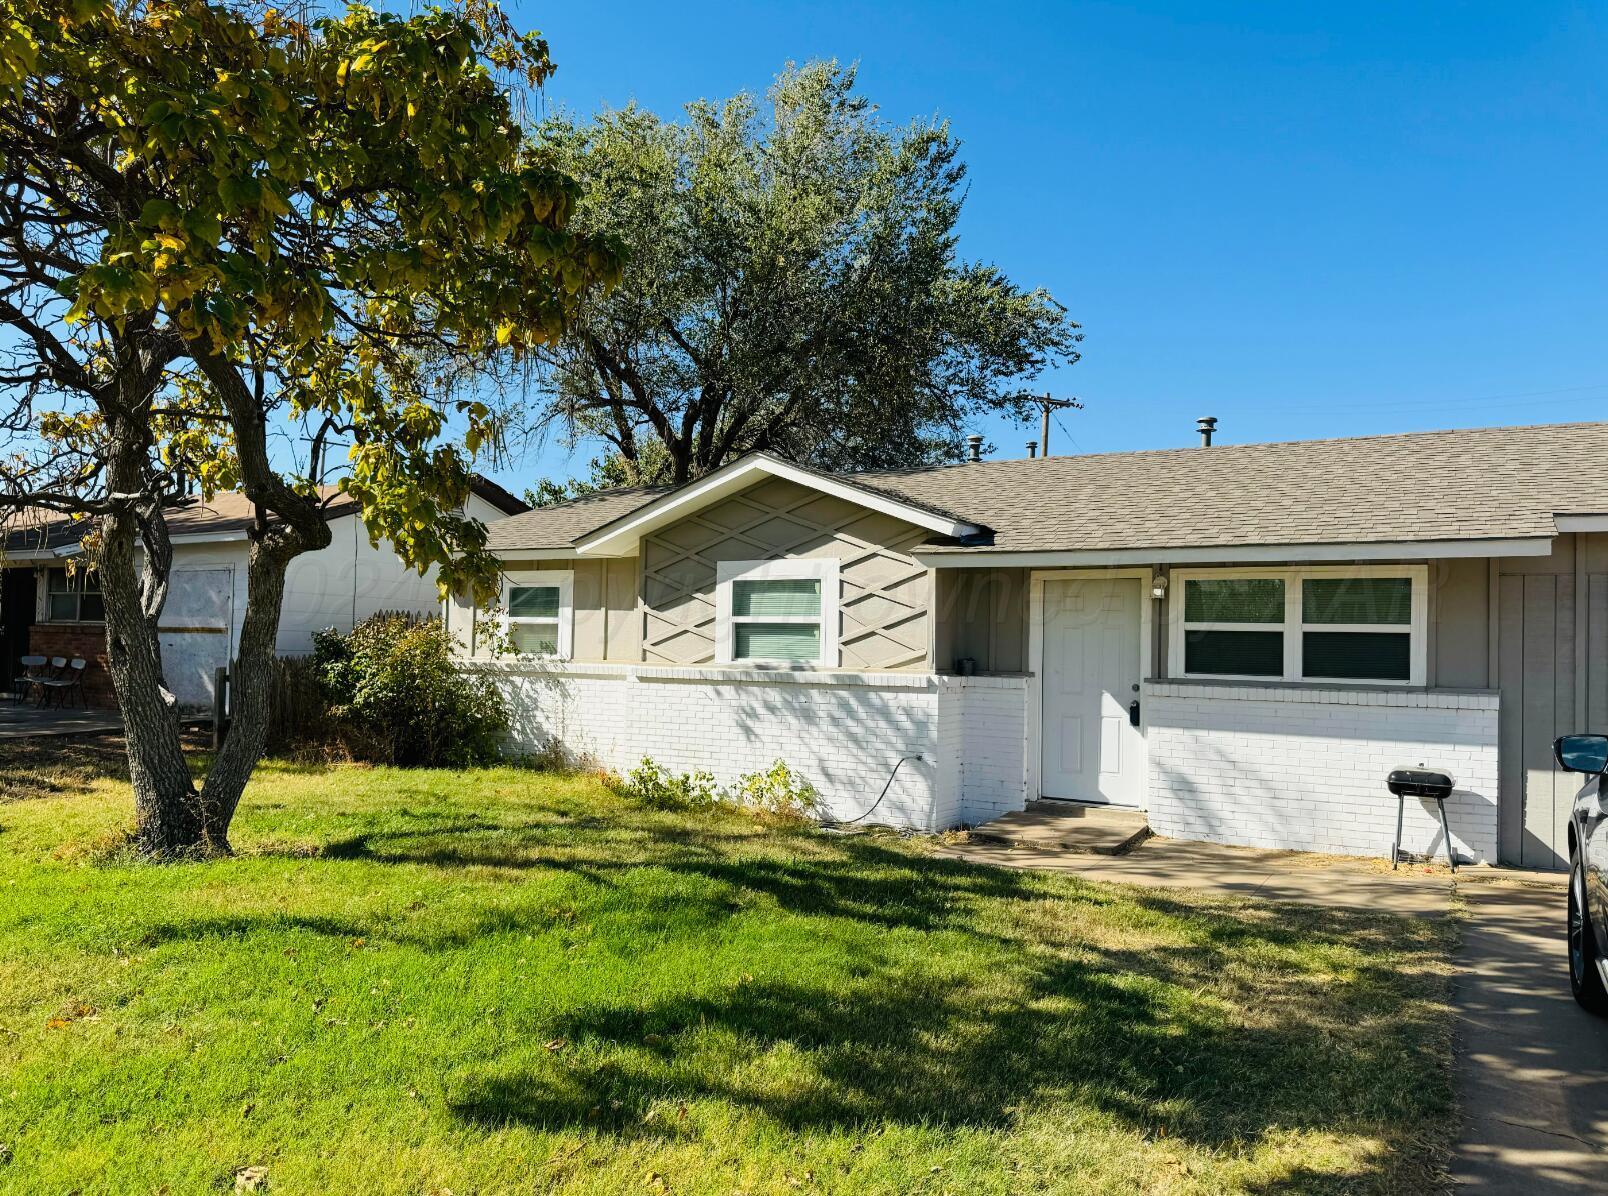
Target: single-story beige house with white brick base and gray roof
<point>1239,641</point>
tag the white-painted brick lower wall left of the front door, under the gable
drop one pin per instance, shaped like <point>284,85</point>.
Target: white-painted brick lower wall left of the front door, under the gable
<point>845,732</point>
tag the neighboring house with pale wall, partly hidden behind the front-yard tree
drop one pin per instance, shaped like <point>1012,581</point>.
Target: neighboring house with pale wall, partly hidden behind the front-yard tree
<point>51,610</point>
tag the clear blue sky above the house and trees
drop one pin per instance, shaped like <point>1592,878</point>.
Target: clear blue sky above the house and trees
<point>1303,219</point>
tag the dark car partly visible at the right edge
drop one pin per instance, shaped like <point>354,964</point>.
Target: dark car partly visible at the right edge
<point>1588,870</point>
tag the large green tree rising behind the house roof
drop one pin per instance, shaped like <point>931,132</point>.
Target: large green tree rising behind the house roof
<point>794,285</point>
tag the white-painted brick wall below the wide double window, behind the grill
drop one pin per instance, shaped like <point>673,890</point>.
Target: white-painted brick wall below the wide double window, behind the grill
<point>1268,766</point>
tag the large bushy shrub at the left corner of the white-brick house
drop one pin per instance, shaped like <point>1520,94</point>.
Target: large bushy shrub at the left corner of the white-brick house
<point>395,686</point>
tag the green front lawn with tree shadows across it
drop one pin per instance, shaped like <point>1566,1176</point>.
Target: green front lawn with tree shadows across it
<point>509,981</point>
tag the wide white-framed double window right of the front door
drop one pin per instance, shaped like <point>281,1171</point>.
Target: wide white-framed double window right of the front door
<point>1315,625</point>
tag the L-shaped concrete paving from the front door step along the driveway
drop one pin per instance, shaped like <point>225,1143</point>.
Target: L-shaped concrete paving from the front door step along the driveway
<point>1532,1065</point>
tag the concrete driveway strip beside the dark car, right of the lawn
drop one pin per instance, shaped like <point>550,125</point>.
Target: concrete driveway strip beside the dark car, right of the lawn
<point>1532,1065</point>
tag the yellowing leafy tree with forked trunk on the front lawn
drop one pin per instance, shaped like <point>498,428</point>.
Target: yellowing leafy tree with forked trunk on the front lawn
<point>232,244</point>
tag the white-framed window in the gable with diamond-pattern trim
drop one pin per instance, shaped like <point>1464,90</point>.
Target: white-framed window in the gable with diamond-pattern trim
<point>777,613</point>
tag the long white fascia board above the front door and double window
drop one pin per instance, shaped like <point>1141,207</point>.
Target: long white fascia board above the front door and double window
<point>1282,554</point>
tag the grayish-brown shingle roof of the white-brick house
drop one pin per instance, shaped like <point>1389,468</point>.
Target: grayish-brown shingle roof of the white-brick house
<point>1477,485</point>
